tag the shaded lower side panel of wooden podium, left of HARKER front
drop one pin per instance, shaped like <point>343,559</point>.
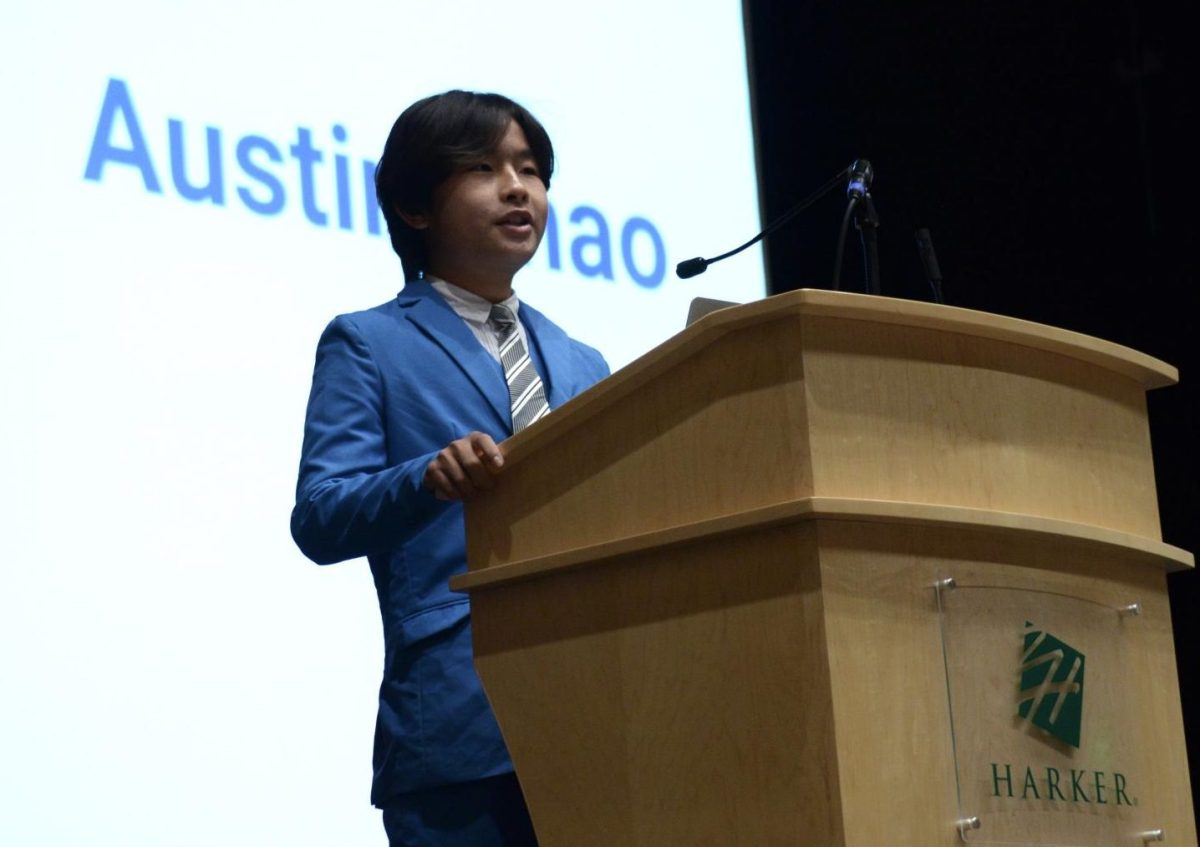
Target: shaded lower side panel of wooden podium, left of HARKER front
<point>681,700</point>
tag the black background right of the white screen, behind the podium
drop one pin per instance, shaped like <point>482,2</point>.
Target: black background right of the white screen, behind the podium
<point>1047,147</point>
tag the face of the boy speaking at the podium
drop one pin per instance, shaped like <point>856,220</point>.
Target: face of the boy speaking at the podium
<point>487,219</point>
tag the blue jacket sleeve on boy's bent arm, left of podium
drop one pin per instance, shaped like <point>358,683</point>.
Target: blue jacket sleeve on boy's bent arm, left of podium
<point>350,502</point>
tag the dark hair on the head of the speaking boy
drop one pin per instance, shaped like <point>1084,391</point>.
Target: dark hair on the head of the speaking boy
<point>431,140</point>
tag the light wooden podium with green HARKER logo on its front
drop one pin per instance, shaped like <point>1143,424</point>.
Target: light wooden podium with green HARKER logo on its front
<point>832,569</point>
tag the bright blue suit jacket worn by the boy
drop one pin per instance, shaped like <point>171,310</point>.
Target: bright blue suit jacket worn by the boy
<point>393,386</point>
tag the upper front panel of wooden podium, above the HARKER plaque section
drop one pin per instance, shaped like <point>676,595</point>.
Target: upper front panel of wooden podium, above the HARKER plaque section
<point>898,413</point>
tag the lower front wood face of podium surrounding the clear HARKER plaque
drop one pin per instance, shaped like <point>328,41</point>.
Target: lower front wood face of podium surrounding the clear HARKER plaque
<point>890,686</point>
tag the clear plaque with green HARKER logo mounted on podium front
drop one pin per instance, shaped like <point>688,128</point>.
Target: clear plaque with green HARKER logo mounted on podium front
<point>1041,706</point>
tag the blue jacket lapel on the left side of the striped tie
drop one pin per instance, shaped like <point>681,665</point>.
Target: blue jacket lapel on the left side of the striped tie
<point>434,317</point>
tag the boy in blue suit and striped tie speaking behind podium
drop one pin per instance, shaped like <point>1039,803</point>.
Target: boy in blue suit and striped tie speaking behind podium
<point>409,404</point>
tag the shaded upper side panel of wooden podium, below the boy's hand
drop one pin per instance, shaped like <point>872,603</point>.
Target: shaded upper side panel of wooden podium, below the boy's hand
<point>718,432</point>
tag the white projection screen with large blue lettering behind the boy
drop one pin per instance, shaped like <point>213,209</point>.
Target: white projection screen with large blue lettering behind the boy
<point>176,674</point>
